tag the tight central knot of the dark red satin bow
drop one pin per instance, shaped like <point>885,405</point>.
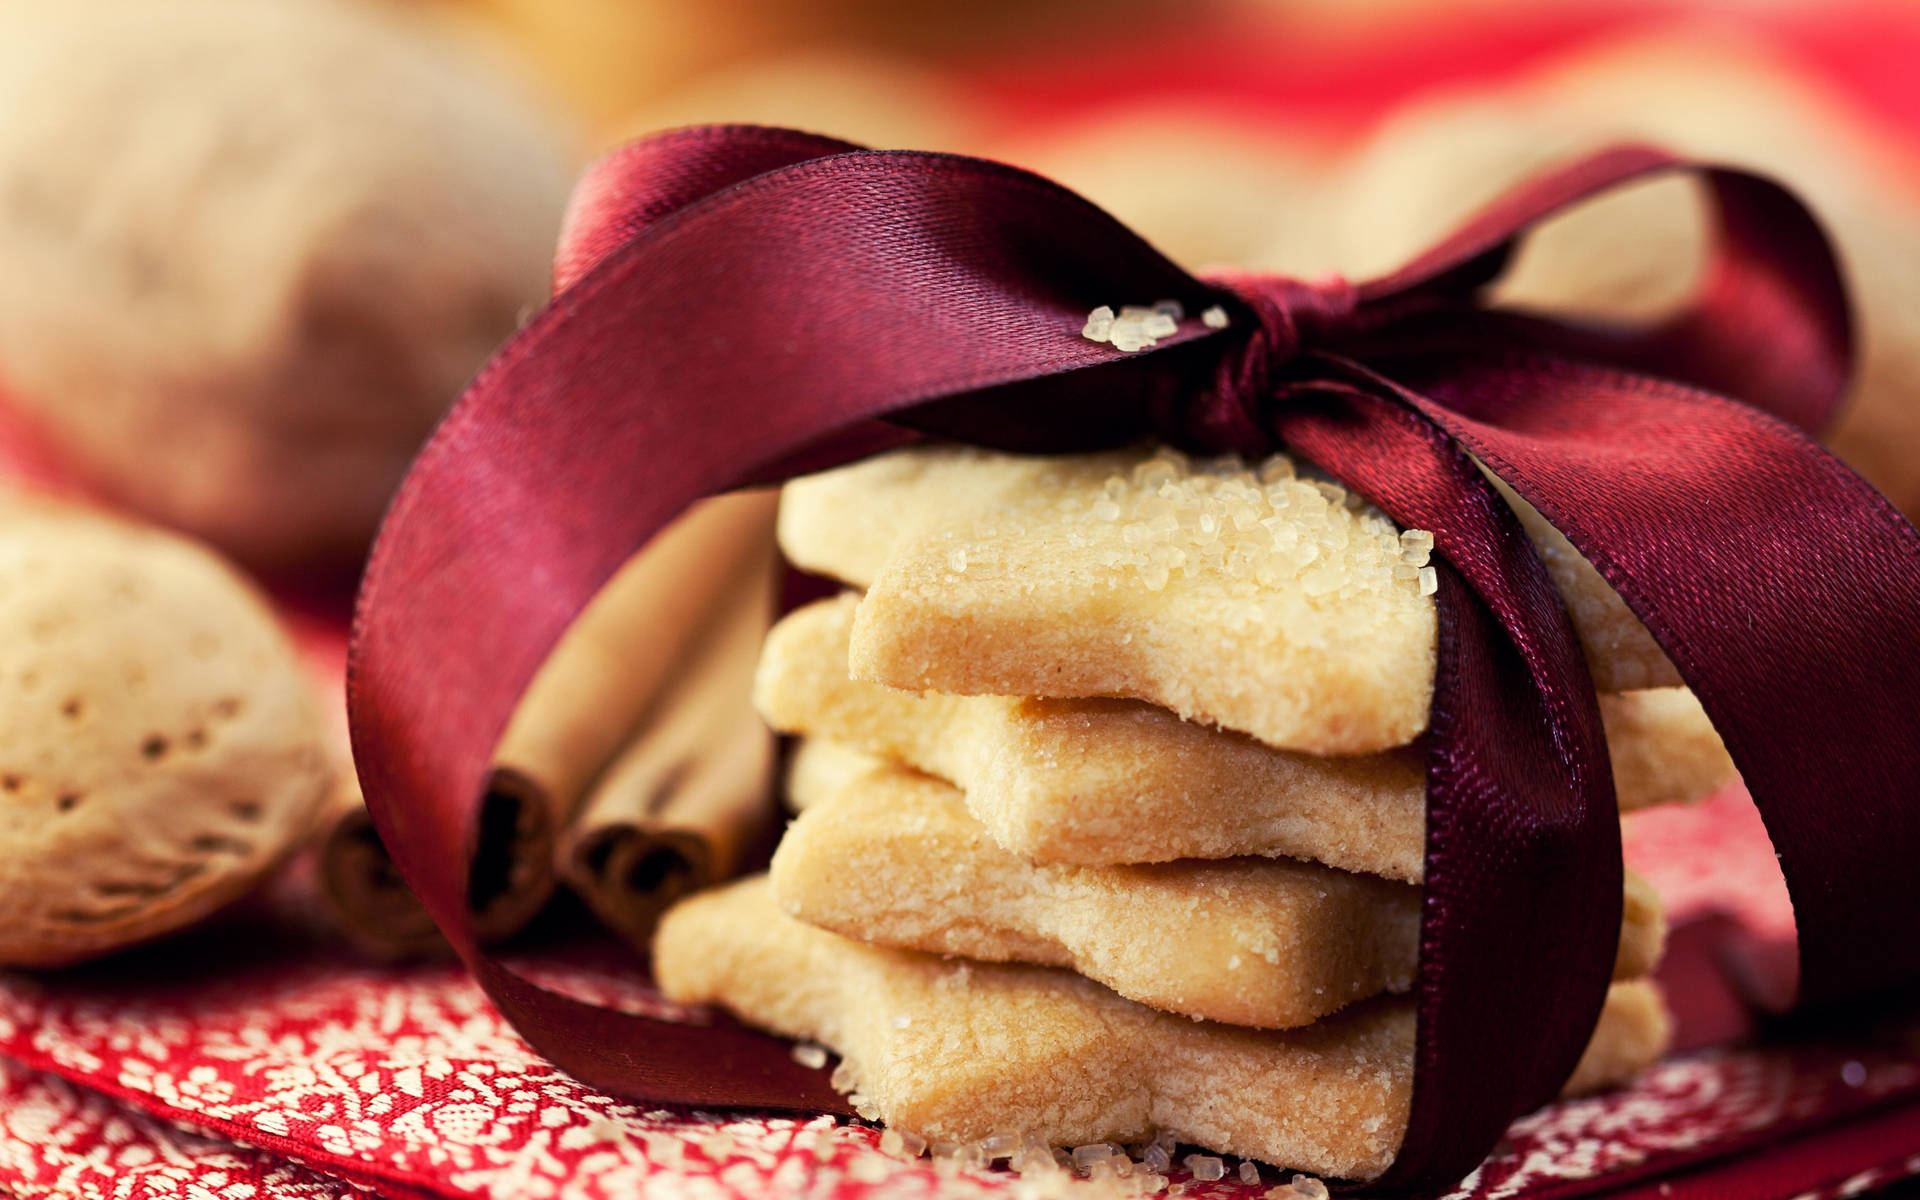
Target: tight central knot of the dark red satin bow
<point>1289,318</point>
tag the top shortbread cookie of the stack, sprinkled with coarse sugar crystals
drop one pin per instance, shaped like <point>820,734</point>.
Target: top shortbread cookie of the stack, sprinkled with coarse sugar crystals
<point>1260,602</point>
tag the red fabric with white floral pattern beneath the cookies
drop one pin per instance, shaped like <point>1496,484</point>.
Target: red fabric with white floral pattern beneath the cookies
<point>262,1061</point>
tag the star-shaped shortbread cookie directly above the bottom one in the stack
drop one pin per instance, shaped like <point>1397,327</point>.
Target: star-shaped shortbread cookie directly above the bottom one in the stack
<point>896,859</point>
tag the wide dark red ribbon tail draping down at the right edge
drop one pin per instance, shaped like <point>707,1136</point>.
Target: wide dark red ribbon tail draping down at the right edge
<point>1806,658</point>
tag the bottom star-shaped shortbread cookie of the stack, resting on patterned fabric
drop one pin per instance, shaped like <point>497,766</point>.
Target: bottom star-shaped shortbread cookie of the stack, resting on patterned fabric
<point>959,1051</point>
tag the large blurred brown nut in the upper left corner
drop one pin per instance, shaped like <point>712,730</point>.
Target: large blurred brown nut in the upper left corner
<point>254,251</point>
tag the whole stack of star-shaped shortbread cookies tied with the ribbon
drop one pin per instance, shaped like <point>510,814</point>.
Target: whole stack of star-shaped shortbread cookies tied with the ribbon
<point>1111,823</point>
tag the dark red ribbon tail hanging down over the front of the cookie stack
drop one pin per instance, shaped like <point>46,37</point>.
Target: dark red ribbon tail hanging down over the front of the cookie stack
<point>1524,848</point>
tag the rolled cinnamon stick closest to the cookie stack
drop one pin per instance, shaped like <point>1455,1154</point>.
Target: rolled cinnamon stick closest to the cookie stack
<point>688,798</point>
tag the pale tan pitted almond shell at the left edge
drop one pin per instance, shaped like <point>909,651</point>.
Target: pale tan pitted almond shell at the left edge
<point>162,748</point>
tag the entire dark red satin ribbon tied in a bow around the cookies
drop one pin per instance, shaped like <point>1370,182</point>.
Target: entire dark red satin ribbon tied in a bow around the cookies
<point>740,304</point>
